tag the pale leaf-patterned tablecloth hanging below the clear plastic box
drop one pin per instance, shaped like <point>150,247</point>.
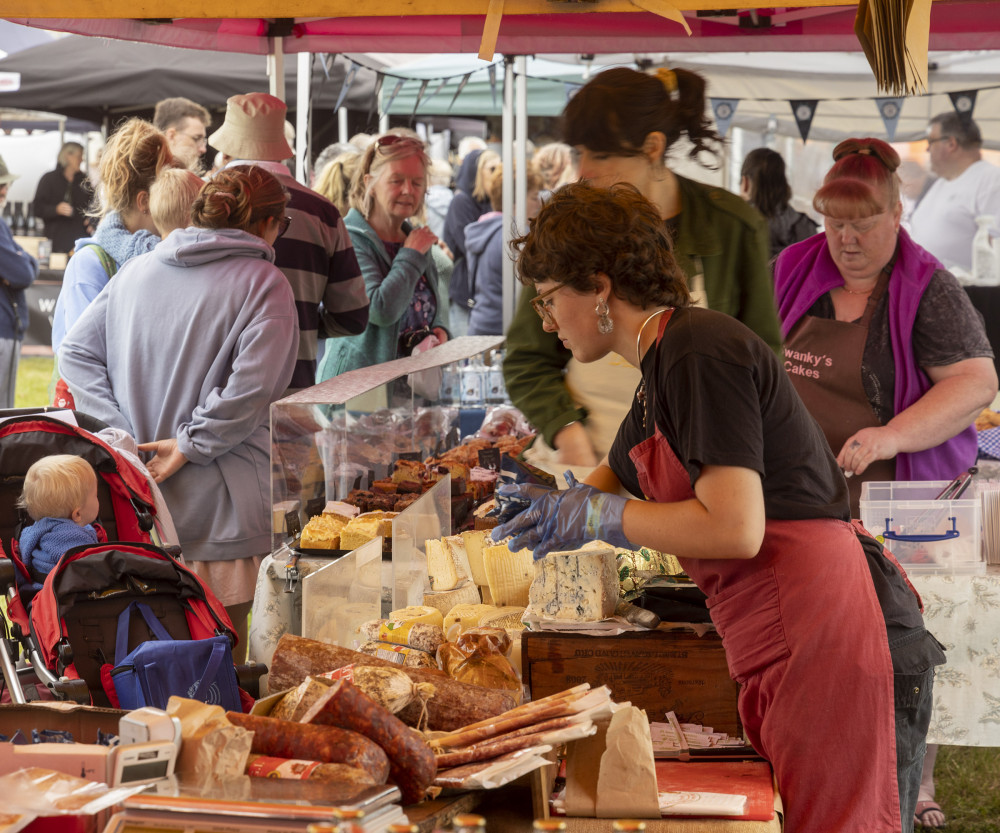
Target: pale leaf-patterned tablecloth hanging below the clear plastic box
<point>963,612</point>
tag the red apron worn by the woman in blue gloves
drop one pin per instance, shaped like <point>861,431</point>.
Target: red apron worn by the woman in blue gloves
<point>805,638</point>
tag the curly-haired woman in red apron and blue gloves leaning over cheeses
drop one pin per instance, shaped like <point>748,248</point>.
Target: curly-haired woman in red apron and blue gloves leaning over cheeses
<point>737,481</point>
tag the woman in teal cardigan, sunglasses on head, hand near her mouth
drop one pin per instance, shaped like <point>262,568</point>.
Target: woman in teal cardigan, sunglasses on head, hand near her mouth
<point>395,258</point>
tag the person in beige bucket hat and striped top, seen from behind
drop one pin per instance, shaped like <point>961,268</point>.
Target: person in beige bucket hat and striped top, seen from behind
<point>315,251</point>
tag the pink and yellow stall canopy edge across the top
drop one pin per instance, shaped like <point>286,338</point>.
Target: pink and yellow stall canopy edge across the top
<point>525,27</point>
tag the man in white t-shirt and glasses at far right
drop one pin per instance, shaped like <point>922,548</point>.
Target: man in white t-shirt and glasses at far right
<point>967,187</point>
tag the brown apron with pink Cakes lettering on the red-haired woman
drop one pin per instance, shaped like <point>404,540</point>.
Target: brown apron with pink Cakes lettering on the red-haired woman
<point>823,358</point>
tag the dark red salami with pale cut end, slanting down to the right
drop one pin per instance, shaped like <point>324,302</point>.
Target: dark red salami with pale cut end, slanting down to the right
<point>411,762</point>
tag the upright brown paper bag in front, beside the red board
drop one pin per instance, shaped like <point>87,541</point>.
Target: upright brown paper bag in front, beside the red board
<point>626,784</point>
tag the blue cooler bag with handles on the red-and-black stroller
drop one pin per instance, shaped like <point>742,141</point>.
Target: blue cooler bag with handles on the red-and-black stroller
<point>199,669</point>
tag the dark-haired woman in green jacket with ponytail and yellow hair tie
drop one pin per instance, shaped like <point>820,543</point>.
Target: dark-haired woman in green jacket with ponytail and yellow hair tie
<point>622,124</point>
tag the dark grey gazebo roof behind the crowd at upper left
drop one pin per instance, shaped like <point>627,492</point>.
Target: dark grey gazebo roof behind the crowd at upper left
<point>96,79</point>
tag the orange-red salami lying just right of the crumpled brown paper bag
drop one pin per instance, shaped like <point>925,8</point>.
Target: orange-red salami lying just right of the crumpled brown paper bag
<point>327,744</point>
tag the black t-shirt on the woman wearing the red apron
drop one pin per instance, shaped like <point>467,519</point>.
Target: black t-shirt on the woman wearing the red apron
<point>720,396</point>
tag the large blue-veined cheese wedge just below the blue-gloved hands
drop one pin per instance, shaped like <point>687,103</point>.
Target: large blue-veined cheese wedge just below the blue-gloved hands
<point>578,585</point>
